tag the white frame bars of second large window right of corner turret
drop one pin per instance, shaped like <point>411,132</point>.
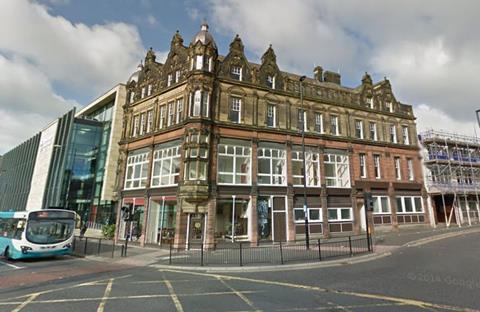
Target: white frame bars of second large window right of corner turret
<point>273,177</point>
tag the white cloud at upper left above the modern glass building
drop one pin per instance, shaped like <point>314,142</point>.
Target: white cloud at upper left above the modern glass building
<point>41,53</point>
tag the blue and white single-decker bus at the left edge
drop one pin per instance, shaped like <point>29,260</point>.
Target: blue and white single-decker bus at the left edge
<point>39,233</point>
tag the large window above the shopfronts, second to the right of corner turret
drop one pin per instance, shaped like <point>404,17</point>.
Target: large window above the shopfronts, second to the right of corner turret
<point>272,169</point>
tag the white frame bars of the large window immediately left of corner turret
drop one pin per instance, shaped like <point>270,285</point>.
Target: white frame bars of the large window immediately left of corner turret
<point>160,157</point>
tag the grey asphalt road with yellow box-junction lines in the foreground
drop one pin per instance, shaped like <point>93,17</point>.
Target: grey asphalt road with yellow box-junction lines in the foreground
<point>440,276</point>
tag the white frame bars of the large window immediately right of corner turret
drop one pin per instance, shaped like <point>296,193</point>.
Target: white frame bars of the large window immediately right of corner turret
<point>238,152</point>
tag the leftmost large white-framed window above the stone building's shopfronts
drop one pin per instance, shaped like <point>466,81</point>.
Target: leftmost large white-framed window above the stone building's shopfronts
<point>137,169</point>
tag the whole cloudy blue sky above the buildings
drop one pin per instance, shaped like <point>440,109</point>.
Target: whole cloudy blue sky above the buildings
<point>60,54</point>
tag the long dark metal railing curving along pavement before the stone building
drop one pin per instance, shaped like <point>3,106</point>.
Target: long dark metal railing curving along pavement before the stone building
<point>243,253</point>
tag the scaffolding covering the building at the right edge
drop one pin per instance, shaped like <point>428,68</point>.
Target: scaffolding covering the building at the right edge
<point>452,170</point>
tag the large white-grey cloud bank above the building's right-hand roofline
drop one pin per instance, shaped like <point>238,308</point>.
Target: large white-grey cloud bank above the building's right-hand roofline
<point>426,48</point>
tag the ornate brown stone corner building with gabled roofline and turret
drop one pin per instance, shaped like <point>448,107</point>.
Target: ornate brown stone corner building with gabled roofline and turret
<point>211,150</point>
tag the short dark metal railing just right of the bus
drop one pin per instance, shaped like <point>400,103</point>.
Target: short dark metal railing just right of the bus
<point>92,246</point>
